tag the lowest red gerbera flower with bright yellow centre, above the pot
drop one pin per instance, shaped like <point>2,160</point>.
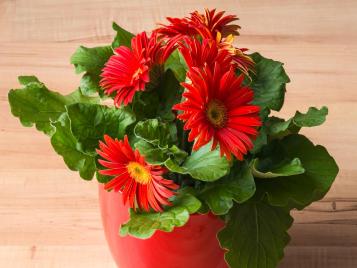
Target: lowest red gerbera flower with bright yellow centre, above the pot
<point>142,184</point>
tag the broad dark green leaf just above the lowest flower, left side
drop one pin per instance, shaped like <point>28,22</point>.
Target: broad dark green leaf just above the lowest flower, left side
<point>89,123</point>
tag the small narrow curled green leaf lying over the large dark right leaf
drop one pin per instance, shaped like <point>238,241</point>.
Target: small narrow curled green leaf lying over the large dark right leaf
<point>294,167</point>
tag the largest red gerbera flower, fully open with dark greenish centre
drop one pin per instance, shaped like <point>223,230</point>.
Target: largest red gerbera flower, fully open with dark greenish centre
<point>217,107</point>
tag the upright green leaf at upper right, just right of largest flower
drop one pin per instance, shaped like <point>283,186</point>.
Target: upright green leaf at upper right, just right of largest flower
<point>268,83</point>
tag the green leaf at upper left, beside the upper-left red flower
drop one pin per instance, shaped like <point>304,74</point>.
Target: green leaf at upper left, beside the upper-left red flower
<point>91,61</point>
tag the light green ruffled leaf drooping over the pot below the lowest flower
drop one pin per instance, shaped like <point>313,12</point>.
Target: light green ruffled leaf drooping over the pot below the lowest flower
<point>144,225</point>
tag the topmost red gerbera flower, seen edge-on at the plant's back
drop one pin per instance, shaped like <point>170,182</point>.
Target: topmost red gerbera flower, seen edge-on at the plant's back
<point>207,25</point>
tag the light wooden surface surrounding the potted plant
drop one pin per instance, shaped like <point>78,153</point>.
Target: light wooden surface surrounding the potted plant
<point>50,218</point>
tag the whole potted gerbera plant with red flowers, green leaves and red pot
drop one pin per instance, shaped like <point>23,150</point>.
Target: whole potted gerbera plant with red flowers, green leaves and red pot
<point>188,151</point>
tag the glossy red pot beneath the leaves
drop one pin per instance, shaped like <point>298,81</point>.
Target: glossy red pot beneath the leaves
<point>191,246</point>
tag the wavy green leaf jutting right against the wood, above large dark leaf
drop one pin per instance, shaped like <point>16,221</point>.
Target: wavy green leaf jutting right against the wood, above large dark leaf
<point>314,117</point>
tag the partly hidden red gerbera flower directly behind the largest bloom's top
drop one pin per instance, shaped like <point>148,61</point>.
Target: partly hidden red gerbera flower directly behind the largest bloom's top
<point>197,53</point>
